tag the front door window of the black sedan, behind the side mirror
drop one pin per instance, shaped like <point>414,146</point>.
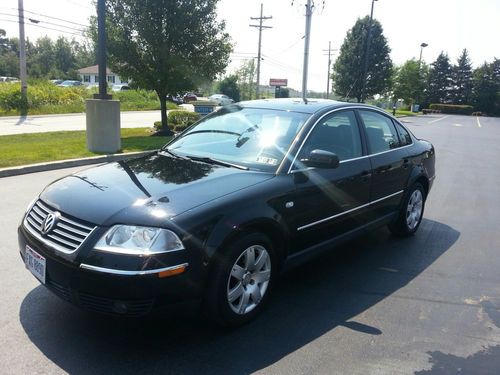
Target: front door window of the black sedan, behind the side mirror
<point>337,133</point>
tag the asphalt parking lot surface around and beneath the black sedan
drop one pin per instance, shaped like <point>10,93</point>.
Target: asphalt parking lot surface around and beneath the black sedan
<point>379,305</point>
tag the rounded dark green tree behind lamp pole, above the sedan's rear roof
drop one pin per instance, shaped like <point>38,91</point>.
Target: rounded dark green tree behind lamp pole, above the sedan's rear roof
<point>348,69</point>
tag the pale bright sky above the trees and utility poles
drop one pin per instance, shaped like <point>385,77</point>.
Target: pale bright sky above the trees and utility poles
<point>445,25</point>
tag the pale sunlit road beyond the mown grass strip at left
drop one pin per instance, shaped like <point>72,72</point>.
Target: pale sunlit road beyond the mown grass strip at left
<point>74,121</point>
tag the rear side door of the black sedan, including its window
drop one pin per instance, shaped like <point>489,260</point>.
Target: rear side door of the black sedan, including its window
<point>389,160</point>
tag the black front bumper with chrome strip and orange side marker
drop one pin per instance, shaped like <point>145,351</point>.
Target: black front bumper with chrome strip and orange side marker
<point>111,289</point>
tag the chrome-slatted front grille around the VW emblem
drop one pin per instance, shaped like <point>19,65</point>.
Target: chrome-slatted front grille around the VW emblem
<point>66,235</point>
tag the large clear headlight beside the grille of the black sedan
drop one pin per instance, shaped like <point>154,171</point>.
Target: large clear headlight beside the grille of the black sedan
<point>136,240</point>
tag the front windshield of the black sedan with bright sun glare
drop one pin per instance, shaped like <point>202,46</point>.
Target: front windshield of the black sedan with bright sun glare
<point>254,138</point>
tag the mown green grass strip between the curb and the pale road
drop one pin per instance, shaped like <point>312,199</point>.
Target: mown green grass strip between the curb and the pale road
<point>33,148</point>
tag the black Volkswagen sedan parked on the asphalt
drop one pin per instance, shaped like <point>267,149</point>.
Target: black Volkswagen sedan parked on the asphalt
<point>218,213</point>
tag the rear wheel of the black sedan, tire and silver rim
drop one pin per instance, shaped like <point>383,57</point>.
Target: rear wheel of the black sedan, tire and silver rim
<point>411,212</point>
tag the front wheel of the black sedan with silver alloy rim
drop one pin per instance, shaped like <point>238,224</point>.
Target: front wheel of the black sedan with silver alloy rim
<point>241,280</point>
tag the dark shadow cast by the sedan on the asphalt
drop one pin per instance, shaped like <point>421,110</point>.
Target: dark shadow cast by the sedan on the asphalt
<point>310,301</point>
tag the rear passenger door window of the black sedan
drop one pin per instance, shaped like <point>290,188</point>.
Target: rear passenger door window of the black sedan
<point>380,132</point>
